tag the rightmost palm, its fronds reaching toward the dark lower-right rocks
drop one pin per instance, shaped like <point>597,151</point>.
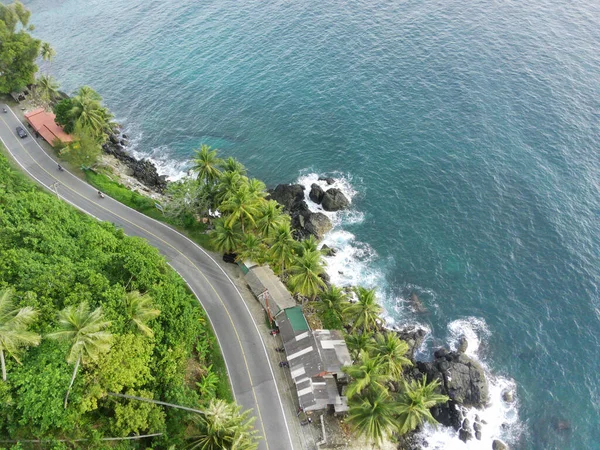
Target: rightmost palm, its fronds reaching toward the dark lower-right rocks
<point>415,403</point>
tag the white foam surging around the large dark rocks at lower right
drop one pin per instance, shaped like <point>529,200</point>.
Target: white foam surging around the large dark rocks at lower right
<point>499,420</point>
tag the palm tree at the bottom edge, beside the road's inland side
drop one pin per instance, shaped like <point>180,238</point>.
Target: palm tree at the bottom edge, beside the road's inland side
<point>224,426</point>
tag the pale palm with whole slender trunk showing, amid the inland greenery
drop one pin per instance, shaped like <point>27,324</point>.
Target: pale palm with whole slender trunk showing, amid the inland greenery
<point>84,330</point>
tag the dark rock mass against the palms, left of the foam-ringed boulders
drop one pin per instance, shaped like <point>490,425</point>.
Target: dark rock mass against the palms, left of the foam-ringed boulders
<point>304,221</point>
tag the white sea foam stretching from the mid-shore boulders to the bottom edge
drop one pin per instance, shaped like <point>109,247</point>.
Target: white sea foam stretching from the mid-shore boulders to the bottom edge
<point>356,263</point>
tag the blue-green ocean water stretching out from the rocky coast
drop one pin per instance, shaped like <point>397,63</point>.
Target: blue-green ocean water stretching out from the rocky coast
<point>466,133</point>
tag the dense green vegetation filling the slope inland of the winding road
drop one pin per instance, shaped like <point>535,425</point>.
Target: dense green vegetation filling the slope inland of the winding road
<point>112,317</point>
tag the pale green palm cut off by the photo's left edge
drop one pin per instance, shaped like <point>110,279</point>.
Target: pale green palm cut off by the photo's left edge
<point>13,328</point>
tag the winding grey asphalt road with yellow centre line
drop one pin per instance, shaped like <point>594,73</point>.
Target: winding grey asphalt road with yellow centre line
<point>248,365</point>
